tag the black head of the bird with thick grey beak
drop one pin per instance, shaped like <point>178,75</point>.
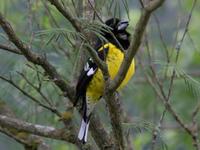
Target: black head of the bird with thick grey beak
<point>119,34</point>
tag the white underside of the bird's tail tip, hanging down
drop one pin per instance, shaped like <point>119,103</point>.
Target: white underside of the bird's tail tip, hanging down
<point>83,132</point>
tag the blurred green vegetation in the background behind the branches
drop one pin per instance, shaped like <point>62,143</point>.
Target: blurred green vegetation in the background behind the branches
<point>42,27</point>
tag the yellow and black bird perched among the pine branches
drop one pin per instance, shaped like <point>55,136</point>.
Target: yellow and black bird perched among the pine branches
<point>91,83</point>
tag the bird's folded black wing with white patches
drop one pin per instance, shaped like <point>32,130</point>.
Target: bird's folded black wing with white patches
<point>86,75</point>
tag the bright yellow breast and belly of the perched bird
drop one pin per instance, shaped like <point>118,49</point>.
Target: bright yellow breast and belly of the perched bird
<point>114,59</point>
